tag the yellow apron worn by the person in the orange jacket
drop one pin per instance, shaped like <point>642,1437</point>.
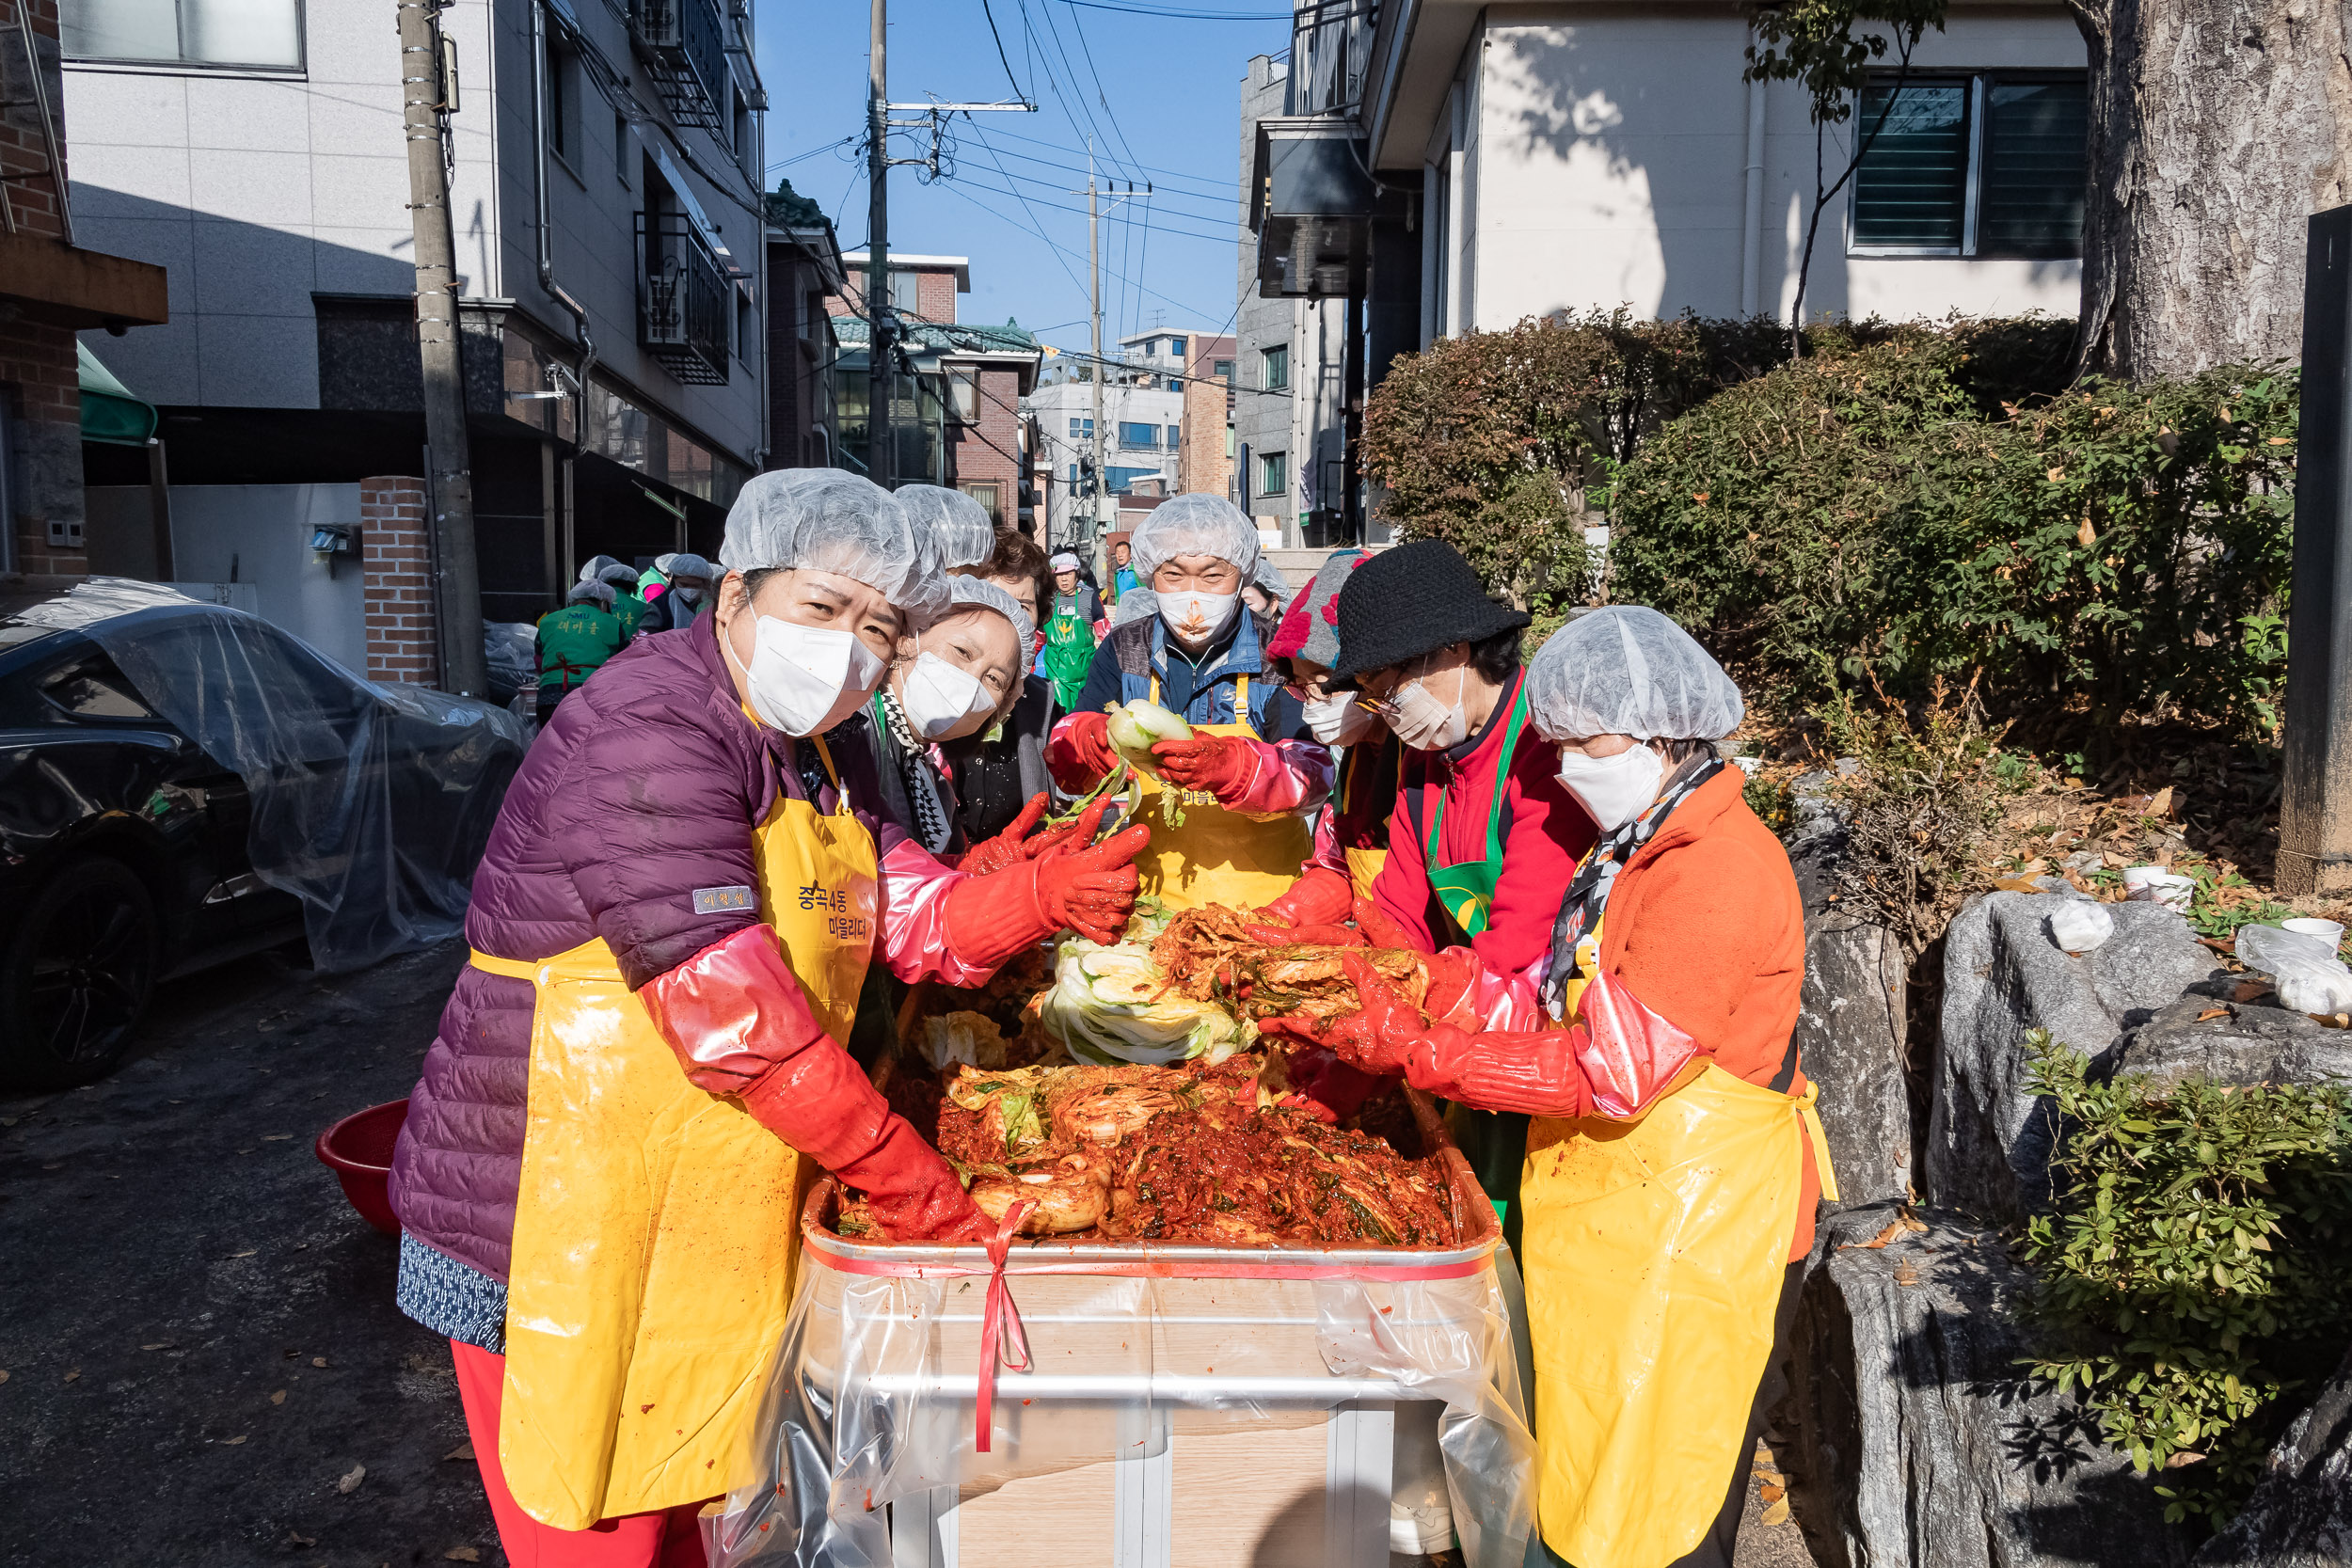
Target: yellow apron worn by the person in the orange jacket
<point>1655,1259</point>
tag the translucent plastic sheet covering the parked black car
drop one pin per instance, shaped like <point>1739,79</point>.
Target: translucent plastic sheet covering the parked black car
<point>370,803</point>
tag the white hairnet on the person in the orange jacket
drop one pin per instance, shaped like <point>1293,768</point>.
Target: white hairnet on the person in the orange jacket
<point>1629,671</point>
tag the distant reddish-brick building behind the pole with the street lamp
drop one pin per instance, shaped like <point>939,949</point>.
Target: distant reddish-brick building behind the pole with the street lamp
<point>956,408</point>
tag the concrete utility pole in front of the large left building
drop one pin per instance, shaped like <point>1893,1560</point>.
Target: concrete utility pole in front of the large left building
<point>450,481</point>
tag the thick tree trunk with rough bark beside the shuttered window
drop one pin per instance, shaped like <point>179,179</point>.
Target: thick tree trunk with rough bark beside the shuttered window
<point>2217,130</point>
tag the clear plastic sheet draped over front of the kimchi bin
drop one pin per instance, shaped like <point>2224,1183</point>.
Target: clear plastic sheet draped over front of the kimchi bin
<point>874,1395</point>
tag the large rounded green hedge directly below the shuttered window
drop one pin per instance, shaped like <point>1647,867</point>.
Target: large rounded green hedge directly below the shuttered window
<point>1890,511</point>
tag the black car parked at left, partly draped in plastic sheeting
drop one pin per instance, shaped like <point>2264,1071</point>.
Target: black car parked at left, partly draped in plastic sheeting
<point>185,786</point>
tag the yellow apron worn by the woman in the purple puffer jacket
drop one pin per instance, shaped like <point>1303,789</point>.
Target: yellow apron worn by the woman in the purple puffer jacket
<point>657,1224</point>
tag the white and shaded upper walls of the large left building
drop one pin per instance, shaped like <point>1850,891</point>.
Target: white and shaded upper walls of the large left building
<point>258,192</point>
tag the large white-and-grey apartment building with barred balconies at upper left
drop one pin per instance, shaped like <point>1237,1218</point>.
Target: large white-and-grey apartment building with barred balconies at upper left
<point>606,194</point>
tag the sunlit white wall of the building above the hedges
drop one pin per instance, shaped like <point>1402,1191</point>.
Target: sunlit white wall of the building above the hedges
<point>1605,152</point>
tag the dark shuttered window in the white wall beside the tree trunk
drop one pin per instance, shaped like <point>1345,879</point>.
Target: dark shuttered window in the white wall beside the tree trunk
<point>1972,166</point>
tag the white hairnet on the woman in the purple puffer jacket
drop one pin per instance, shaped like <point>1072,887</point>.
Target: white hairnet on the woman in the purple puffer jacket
<point>834,521</point>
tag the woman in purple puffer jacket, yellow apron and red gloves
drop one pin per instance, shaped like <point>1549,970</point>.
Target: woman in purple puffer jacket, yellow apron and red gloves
<point>641,1071</point>
